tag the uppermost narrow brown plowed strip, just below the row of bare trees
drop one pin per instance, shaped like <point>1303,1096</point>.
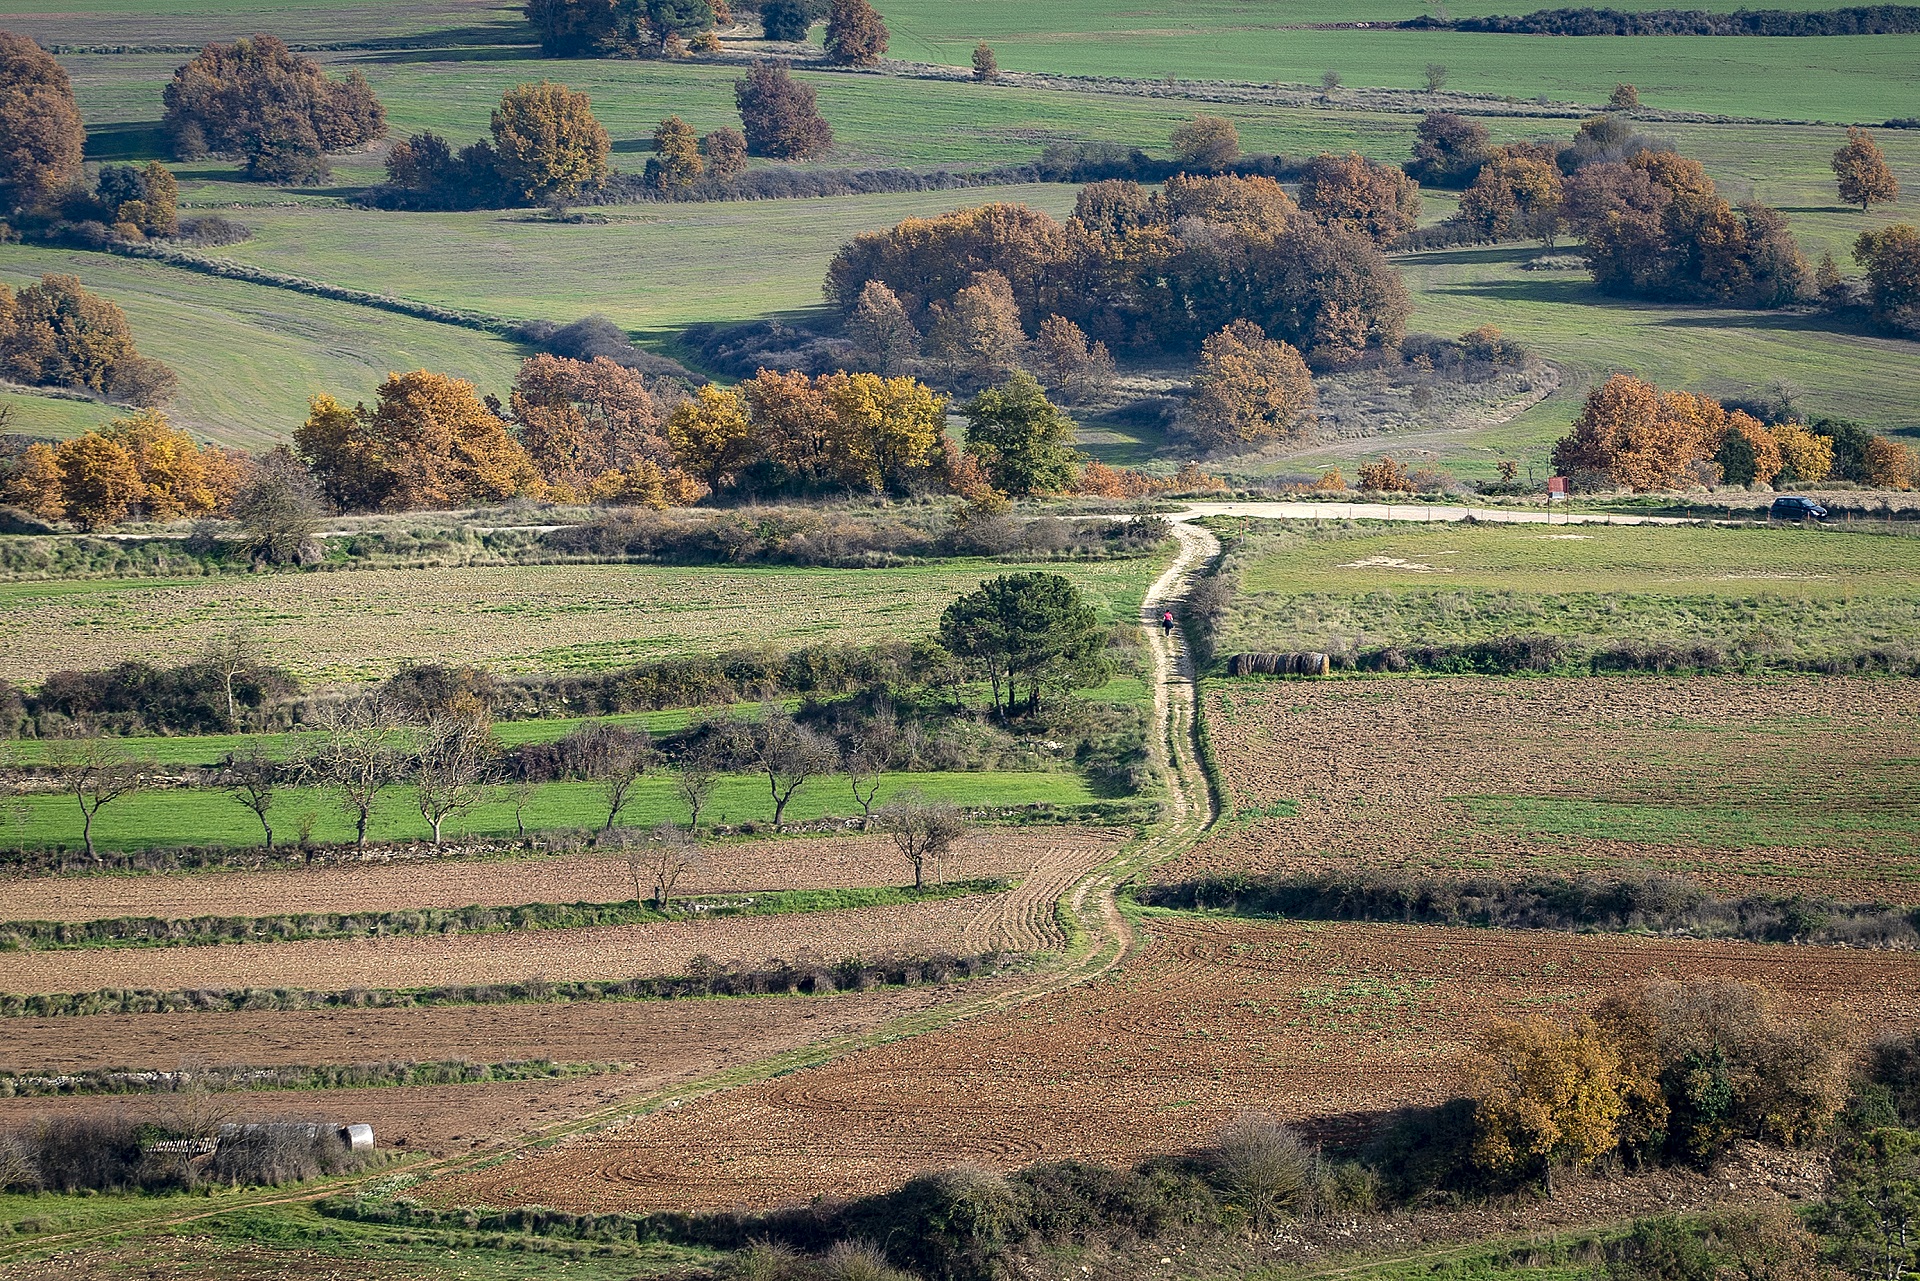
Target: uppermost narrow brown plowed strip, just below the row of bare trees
<point>585,877</point>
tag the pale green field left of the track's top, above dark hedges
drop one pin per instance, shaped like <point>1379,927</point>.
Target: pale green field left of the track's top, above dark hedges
<point>537,617</point>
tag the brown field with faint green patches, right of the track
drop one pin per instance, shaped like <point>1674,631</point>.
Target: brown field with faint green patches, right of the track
<point>1783,786</point>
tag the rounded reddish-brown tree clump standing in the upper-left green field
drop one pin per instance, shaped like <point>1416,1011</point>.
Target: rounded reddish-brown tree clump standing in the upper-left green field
<point>260,101</point>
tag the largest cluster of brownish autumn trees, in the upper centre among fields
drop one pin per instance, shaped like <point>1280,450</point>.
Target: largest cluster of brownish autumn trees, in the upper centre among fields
<point>1143,270</point>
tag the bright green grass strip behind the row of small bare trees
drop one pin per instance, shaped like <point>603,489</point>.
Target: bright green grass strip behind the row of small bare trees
<point>201,817</point>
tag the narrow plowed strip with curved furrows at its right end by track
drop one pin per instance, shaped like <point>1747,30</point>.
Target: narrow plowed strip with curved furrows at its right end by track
<point>1019,921</point>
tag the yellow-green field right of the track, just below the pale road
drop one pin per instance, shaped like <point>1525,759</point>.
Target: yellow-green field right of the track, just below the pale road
<point>1781,594</point>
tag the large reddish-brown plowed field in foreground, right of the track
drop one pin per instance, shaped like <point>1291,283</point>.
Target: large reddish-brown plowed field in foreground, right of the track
<point>1207,1021</point>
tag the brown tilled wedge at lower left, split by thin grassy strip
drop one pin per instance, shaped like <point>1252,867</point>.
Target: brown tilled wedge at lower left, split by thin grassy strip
<point>661,1042</point>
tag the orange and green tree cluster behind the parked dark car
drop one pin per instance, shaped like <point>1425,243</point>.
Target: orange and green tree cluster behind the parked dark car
<point>1631,435</point>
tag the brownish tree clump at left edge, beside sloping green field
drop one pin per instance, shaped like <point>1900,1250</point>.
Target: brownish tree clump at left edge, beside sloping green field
<point>57,333</point>
